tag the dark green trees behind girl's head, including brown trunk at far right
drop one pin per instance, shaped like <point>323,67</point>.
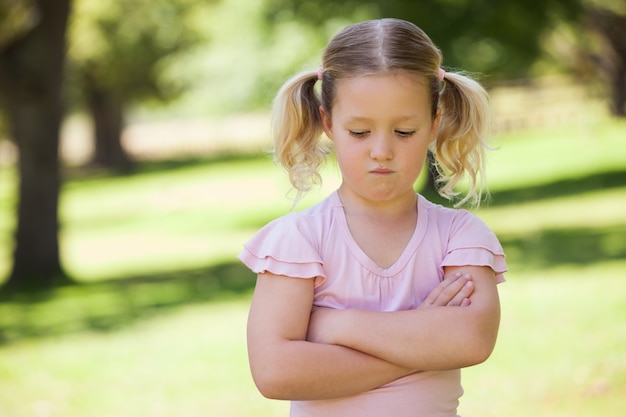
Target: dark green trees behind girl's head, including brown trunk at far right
<point>502,38</point>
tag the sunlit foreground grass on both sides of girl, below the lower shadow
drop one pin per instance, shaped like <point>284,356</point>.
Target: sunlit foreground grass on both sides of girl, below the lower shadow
<point>561,352</point>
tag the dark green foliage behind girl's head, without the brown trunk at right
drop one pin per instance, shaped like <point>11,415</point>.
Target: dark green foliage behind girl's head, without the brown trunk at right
<point>501,38</point>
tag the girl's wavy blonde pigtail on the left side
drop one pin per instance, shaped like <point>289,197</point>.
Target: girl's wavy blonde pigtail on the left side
<point>296,129</point>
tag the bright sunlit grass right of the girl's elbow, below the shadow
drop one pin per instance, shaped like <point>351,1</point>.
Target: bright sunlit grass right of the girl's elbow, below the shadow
<point>561,349</point>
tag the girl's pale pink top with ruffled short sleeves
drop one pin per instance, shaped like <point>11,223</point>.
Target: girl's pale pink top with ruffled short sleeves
<point>316,244</point>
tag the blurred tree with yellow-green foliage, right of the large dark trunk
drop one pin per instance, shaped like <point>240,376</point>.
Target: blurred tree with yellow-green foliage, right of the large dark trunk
<point>118,53</point>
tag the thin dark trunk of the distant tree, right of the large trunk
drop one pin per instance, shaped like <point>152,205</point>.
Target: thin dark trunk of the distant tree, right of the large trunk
<point>107,115</point>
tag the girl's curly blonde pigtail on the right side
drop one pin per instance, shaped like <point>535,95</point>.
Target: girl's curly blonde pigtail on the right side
<point>461,141</point>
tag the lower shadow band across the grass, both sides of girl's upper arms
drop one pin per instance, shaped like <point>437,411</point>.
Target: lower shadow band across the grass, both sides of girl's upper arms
<point>115,304</point>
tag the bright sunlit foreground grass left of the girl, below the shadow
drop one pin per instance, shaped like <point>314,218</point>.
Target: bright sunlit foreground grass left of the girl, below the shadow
<point>190,363</point>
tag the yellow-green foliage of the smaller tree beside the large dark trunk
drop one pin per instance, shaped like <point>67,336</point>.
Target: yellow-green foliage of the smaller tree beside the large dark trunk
<point>125,46</point>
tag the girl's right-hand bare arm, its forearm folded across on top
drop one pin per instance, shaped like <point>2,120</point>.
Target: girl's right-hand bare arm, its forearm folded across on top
<point>435,338</point>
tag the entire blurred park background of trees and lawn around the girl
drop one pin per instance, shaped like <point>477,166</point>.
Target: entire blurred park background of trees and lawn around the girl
<point>134,164</point>
